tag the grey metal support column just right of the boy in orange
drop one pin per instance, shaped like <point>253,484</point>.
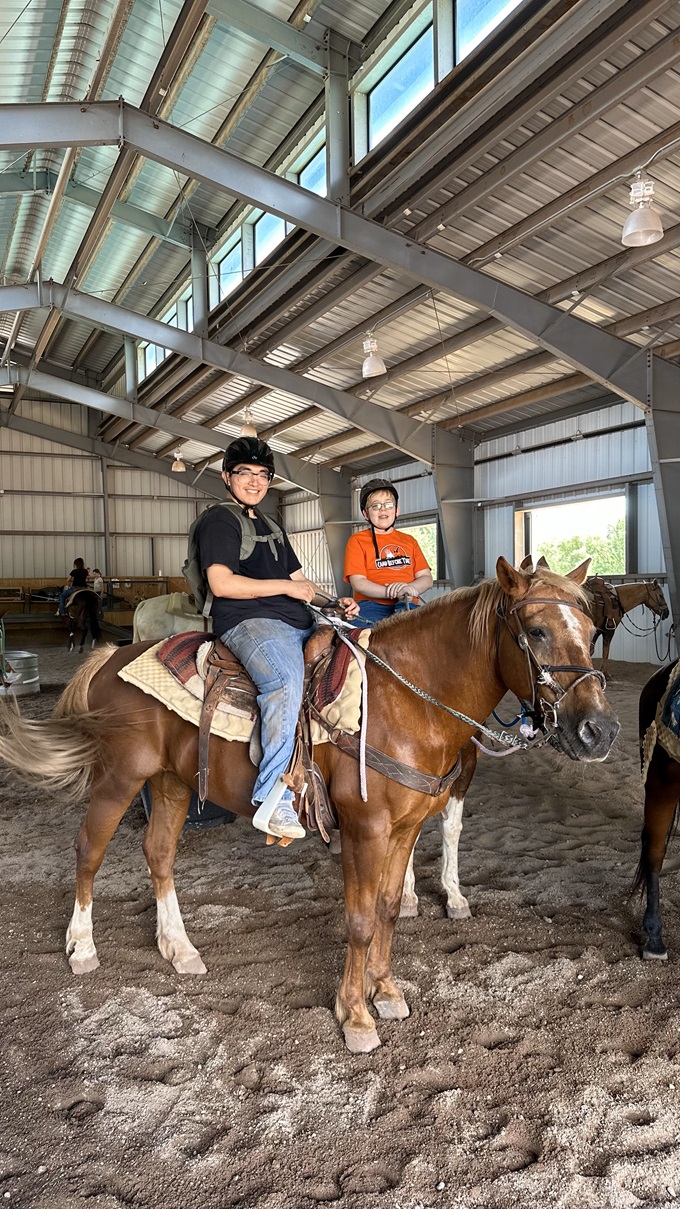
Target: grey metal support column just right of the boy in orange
<point>454,485</point>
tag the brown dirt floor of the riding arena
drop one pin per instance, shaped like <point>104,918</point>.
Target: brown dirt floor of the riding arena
<point>540,1066</point>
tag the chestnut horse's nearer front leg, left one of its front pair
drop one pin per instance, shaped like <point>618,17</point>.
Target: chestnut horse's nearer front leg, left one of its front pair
<point>365,846</point>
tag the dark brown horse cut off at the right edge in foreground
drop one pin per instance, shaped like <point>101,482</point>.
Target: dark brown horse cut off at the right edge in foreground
<point>662,795</point>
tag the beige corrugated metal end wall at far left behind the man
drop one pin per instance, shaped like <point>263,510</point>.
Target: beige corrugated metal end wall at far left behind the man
<point>53,507</point>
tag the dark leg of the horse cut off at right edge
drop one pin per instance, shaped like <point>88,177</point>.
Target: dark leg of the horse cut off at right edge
<point>662,790</point>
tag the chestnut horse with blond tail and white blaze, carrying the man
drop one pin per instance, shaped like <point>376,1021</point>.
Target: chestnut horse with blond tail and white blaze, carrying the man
<point>523,633</point>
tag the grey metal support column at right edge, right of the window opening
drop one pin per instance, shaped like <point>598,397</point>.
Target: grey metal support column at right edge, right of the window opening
<point>664,435</point>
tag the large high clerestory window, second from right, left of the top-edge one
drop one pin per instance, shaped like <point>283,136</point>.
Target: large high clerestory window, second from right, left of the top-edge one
<point>407,83</point>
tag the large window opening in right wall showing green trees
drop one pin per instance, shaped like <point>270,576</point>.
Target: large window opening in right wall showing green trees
<point>568,534</point>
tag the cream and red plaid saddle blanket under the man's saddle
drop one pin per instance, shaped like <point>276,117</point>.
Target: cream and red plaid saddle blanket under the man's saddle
<point>174,673</point>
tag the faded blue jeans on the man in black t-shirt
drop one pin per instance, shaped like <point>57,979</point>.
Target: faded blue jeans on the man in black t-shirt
<point>272,653</point>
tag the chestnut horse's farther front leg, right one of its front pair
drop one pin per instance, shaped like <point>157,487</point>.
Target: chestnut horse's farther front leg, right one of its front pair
<point>381,987</point>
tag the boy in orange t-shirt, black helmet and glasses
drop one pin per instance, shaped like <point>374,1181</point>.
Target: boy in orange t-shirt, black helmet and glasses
<point>387,569</point>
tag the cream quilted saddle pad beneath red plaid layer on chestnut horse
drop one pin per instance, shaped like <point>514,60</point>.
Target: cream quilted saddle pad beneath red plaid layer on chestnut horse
<point>148,674</point>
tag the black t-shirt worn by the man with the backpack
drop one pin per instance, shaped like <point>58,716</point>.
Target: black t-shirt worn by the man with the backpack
<point>220,541</point>
